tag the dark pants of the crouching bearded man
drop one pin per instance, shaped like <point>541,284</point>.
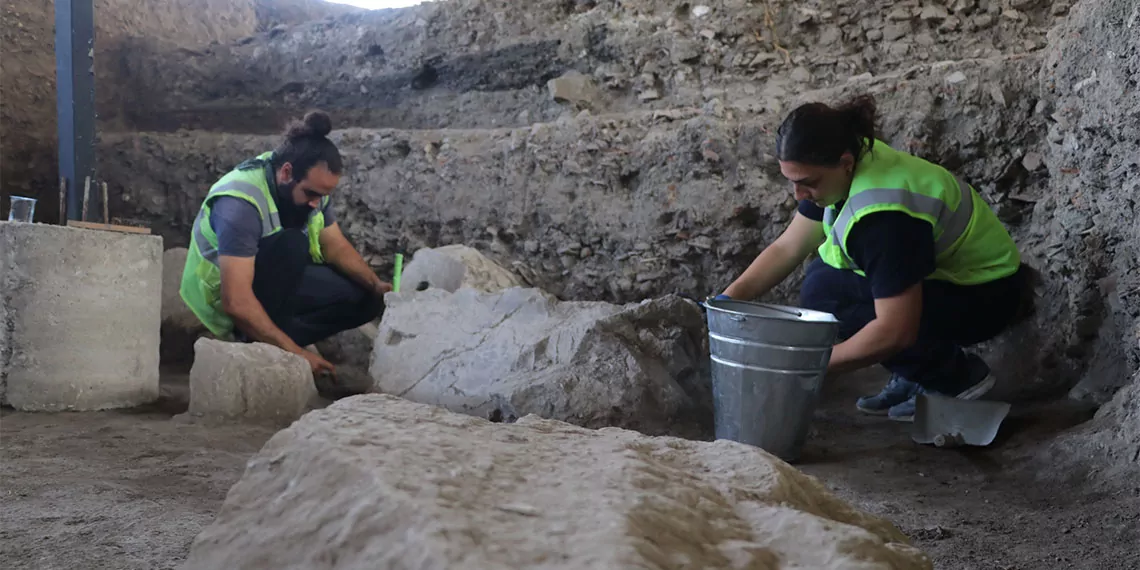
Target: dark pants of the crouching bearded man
<point>308,302</point>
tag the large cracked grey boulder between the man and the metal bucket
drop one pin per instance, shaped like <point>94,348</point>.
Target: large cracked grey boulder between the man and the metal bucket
<point>522,352</point>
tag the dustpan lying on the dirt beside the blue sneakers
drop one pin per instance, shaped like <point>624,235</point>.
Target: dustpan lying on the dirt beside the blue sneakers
<point>950,422</point>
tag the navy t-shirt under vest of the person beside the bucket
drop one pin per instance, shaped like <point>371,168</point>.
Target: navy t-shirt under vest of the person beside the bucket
<point>893,249</point>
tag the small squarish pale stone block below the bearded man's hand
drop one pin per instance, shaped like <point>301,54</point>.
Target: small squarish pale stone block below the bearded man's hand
<point>253,381</point>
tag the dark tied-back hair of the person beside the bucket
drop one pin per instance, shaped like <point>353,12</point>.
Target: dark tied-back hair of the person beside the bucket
<point>817,134</point>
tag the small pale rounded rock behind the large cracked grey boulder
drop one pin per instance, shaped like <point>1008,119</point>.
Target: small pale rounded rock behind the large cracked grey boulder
<point>452,267</point>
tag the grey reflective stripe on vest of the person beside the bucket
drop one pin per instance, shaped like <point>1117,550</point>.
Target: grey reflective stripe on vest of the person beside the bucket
<point>950,226</point>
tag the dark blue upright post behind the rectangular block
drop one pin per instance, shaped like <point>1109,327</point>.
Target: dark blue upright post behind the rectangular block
<point>76,103</point>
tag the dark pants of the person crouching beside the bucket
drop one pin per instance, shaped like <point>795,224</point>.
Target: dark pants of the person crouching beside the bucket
<point>954,316</point>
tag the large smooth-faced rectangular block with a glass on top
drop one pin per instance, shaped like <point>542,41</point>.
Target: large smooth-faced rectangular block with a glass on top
<point>80,314</point>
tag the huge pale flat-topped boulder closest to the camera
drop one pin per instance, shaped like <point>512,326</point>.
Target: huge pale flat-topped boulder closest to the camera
<point>377,482</point>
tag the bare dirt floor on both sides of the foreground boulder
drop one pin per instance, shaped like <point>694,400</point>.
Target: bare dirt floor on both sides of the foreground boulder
<point>132,490</point>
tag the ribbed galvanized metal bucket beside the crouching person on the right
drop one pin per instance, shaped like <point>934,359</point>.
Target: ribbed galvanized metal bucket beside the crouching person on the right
<point>769,363</point>
